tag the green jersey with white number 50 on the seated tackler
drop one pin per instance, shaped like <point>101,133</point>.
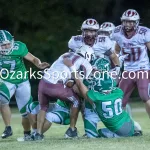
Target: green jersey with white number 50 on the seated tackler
<point>109,108</point>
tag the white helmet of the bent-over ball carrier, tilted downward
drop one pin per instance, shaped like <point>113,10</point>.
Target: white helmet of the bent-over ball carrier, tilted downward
<point>87,52</point>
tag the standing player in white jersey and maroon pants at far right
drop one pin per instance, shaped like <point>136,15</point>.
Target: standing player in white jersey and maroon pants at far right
<point>133,40</point>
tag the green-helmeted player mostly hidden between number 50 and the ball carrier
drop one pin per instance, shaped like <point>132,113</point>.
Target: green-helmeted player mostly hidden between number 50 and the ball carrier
<point>91,118</point>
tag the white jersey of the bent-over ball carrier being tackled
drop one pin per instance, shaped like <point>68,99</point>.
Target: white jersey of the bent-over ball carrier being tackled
<point>59,71</point>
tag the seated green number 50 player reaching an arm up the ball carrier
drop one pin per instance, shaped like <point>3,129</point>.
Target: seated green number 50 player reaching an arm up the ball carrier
<point>106,101</point>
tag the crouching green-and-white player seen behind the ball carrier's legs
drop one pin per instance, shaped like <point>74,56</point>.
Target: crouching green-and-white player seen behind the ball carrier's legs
<point>58,112</point>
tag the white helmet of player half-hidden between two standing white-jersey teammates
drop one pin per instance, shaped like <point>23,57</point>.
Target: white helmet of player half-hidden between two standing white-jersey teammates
<point>106,28</point>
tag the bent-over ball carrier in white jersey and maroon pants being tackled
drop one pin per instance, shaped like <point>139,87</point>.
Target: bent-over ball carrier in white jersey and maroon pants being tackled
<point>53,85</point>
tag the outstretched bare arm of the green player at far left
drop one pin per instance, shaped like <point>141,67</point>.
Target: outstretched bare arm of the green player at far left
<point>36,61</point>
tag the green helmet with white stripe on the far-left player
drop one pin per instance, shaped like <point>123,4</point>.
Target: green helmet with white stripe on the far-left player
<point>6,38</point>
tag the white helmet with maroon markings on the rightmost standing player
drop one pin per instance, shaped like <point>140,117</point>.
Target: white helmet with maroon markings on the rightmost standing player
<point>131,15</point>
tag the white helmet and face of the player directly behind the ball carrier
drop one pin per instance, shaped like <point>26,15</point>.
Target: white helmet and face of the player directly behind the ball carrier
<point>90,29</point>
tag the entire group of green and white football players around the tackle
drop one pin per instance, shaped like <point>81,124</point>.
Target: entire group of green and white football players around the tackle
<point>84,82</point>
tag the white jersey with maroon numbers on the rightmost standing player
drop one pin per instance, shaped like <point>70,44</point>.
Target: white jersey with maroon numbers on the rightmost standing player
<point>135,47</point>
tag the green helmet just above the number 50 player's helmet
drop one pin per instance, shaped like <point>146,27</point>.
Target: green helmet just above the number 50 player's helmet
<point>101,64</point>
